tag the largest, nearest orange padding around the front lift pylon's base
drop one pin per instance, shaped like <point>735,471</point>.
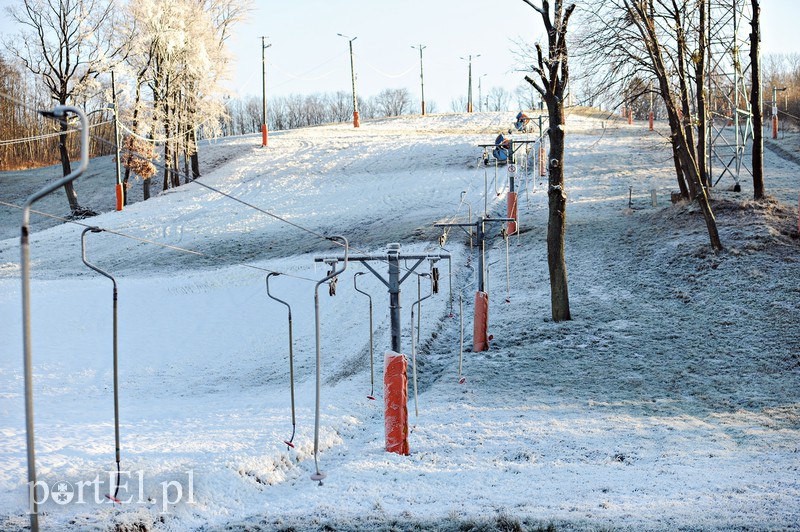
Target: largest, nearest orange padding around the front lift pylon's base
<point>395,397</point>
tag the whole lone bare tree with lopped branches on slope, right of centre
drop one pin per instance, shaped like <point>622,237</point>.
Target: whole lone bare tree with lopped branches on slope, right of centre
<point>553,76</point>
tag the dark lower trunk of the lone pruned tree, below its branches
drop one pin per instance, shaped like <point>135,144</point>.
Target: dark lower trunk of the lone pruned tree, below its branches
<point>557,214</point>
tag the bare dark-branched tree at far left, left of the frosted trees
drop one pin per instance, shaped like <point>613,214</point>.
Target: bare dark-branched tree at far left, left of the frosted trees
<point>68,43</point>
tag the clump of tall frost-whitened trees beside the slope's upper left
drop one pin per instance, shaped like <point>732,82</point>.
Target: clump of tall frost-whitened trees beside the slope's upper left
<point>180,55</point>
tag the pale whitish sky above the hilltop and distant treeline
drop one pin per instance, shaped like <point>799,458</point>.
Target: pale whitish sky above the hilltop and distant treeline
<point>307,56</point>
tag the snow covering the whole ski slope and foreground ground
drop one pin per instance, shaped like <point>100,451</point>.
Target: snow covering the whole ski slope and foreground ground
<point>669,401</point>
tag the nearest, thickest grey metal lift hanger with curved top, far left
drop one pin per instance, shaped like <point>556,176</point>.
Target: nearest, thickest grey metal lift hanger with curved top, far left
<point>59,112</point>
